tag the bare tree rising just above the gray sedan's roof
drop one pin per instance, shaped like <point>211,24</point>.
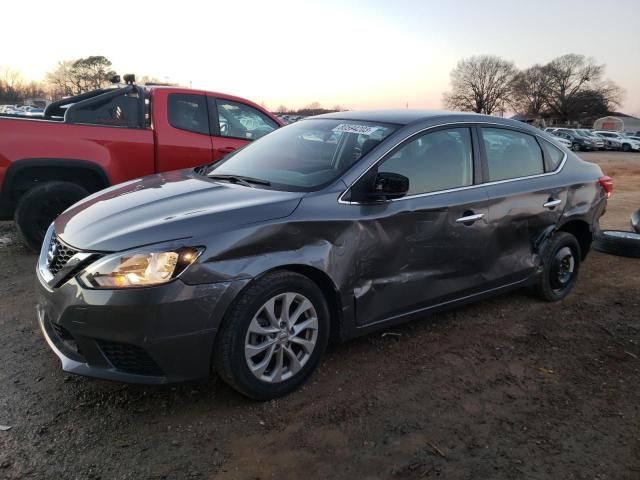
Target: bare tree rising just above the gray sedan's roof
<point>481,84</point>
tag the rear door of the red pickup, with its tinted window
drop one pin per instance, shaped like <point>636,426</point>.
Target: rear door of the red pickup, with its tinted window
<point>181,126</point>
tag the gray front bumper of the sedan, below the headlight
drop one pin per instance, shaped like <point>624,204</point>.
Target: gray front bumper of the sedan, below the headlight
<point>154,335</point>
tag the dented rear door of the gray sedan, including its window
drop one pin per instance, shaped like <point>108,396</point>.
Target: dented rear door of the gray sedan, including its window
<point>526,199</point>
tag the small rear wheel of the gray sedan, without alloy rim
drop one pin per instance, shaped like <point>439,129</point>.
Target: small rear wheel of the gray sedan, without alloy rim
<point>561,265</point>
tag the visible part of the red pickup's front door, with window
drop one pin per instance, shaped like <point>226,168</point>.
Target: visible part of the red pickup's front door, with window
<point>234,124</point>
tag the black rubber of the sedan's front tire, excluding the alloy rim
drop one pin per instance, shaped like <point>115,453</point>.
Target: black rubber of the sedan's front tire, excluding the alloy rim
<point>228,357</point>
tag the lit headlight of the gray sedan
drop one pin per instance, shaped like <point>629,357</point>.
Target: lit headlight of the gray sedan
<point>139,268</point>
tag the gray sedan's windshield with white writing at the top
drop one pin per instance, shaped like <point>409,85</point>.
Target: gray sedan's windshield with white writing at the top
<point>304,156</point>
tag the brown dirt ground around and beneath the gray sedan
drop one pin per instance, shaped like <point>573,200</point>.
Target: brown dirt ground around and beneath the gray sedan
<point>509,388</point>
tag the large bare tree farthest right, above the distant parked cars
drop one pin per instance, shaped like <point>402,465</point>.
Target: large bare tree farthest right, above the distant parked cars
<point>570,78</point>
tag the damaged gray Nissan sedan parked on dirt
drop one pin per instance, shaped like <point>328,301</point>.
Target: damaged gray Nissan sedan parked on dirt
<point>329,228</point>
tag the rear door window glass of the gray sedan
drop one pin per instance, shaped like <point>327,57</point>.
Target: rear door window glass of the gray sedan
<point>511,154</point>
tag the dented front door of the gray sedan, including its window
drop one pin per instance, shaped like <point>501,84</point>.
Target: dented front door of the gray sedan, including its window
<point>428,247</point>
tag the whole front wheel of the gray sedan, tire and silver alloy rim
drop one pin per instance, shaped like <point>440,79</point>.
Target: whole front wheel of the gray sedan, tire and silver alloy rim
<point>257,377</point>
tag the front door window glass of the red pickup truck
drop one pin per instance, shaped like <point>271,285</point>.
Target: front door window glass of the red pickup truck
<point>242,121</point>
